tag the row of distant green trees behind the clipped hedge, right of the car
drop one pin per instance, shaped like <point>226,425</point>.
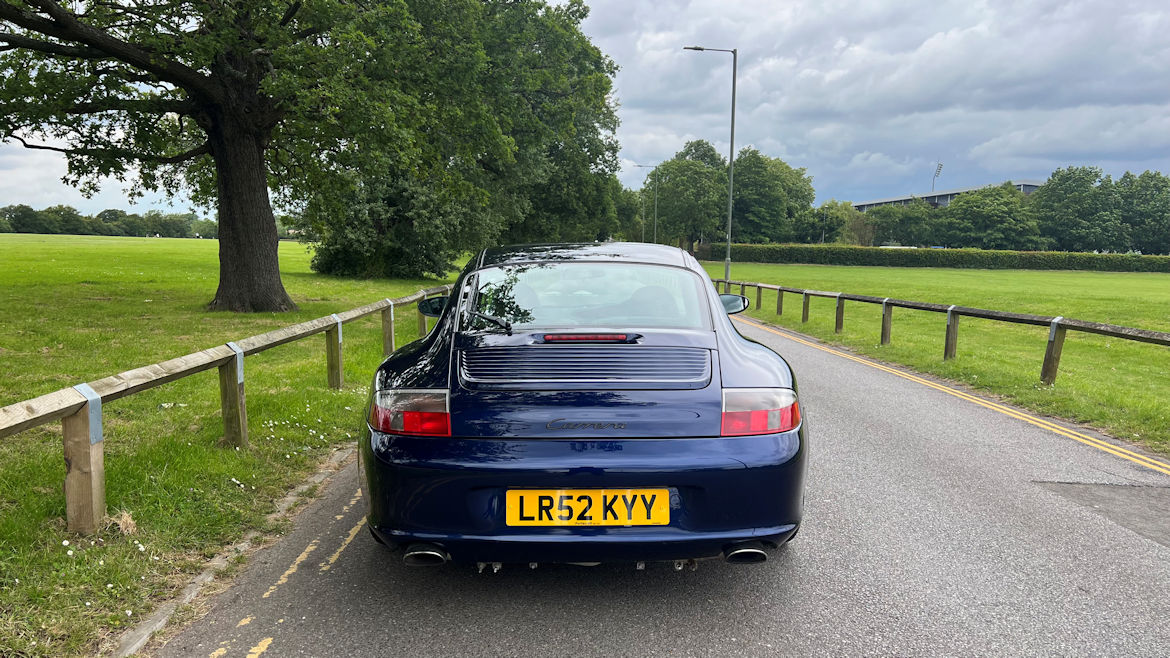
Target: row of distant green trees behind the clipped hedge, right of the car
<point>1080,209</point>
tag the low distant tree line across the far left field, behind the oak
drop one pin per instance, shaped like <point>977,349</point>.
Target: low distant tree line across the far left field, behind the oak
<point>71,222</point>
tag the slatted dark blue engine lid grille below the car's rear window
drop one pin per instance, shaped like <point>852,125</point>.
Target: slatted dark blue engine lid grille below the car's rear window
<point>594,367</point>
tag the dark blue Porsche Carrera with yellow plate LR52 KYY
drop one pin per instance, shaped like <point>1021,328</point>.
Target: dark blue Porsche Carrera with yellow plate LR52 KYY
<point>584,403</point>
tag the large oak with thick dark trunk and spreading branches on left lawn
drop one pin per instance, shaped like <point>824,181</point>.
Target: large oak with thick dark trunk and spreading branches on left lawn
<point>226,99</point>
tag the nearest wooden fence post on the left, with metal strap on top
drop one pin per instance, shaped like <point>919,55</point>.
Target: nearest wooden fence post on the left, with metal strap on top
<point>85,465</point>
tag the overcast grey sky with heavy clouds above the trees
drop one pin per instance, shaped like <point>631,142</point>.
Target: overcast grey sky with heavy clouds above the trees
<point>866,95</point>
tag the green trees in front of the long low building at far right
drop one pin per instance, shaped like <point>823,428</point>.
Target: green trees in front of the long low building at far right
<point>1079,209</point>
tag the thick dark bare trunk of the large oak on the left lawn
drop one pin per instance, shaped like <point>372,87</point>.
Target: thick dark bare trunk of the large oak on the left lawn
<point>250,269</point>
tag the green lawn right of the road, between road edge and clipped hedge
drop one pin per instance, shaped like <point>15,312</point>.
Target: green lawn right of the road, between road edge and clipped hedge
<point>1118,386</point>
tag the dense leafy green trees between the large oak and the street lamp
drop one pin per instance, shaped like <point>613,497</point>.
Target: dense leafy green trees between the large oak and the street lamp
<point>519,147</point>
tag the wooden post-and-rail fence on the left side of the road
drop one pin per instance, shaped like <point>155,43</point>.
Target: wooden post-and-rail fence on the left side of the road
<point>80,408</point>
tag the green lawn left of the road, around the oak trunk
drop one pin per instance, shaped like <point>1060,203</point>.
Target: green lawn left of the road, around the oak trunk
<point>75,310</point>
